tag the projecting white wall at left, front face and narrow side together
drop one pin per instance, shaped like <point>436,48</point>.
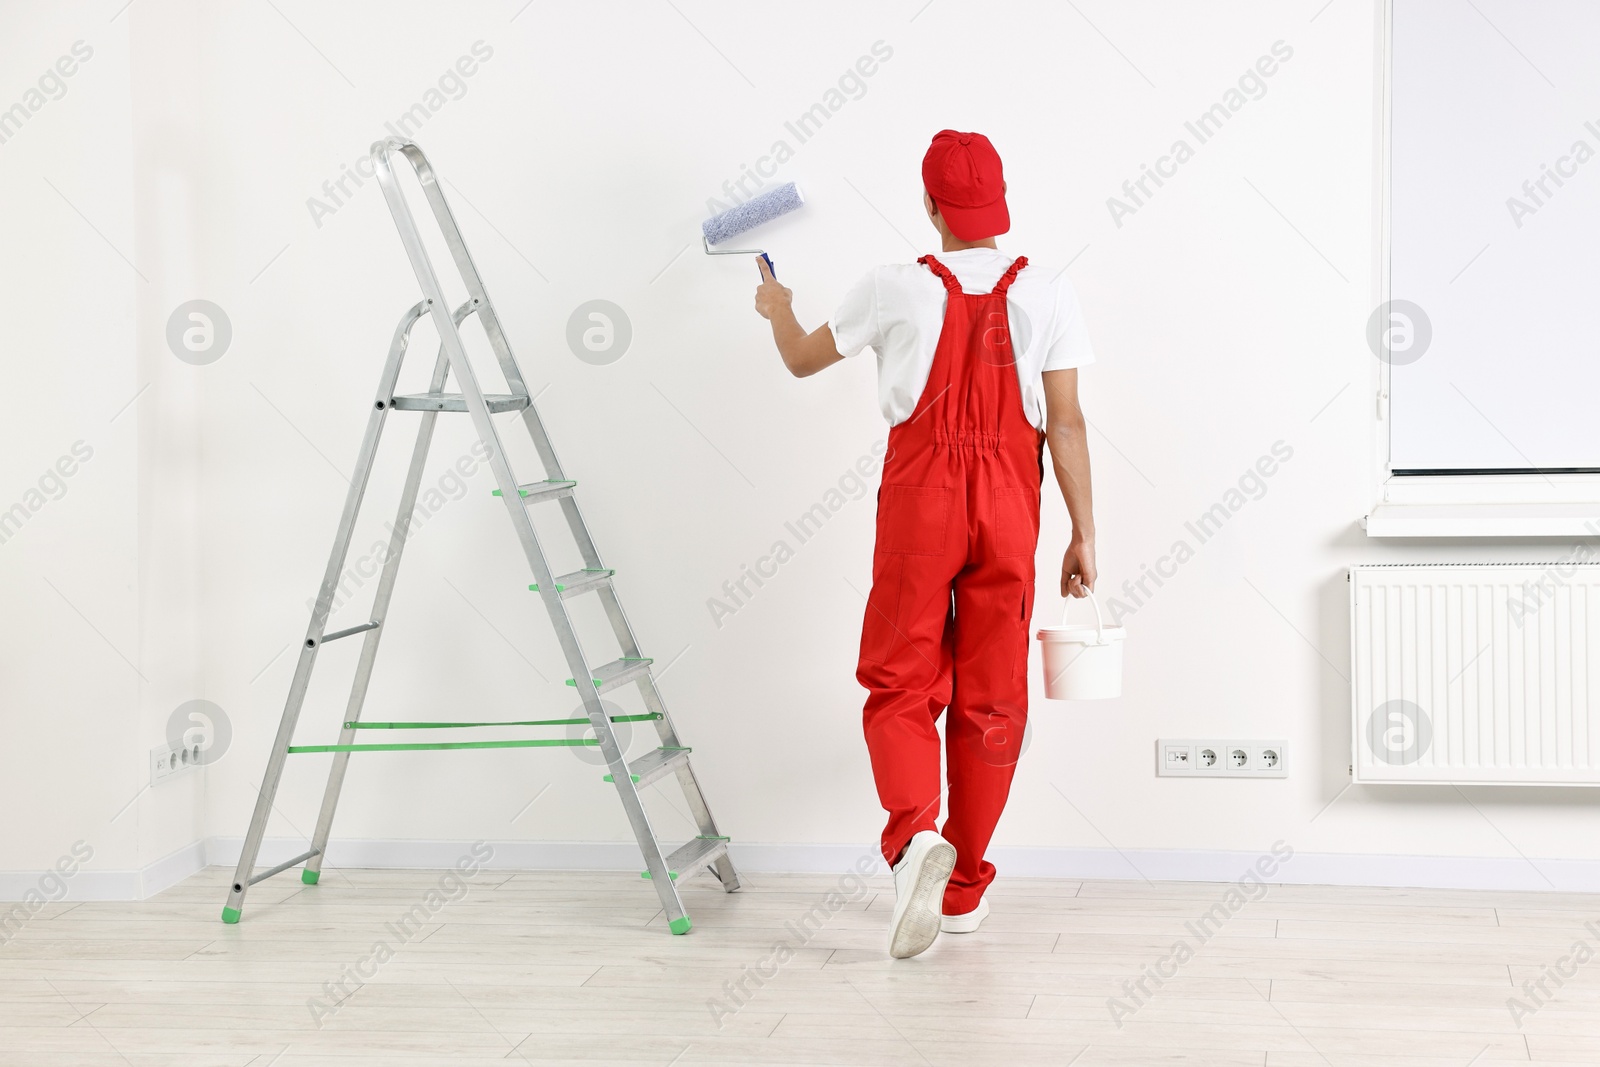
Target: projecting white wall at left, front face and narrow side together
<point>102,446</point>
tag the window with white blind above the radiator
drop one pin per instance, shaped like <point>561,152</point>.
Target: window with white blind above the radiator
<point>1490,319</point>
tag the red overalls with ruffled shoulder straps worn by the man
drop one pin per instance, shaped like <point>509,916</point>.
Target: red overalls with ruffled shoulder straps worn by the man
<point>953,589</point>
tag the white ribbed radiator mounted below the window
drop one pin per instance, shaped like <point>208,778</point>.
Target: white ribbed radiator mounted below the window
<point>1476,674</point>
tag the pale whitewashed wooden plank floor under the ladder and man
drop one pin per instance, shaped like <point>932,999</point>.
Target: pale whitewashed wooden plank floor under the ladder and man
<point>580,969</point>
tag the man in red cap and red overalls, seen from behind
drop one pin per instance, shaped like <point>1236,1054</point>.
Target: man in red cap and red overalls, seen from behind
<point>978,359</point>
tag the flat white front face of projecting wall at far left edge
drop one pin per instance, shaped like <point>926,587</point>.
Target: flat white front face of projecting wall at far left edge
<point>70,577</point>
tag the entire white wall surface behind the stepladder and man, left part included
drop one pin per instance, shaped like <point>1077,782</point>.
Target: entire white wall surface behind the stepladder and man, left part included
<point>1228,314</point>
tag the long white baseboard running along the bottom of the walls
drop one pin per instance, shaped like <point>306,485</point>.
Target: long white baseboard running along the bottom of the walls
<point>1431,873</point>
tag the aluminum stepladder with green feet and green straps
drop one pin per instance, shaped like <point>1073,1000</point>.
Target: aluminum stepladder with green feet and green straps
<point>708,849</point>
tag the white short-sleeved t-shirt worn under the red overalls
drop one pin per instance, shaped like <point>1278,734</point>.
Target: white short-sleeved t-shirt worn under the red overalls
<point>898,311</point>
